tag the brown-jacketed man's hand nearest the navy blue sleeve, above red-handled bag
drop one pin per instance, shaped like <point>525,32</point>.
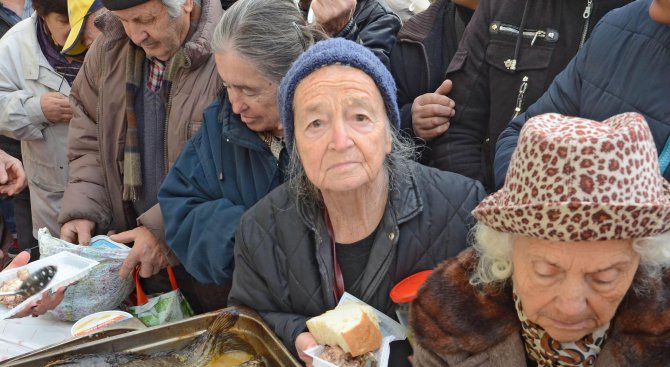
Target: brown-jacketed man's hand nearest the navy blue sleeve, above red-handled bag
<point>146,252</point>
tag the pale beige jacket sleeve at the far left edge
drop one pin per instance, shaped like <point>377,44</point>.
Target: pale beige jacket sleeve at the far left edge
<point>21,115</point>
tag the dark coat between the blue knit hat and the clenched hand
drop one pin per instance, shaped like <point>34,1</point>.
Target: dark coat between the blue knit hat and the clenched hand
<point>426,43</point>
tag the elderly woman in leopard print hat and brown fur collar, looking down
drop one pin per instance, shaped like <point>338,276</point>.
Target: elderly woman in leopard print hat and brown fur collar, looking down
<point>571,260</point>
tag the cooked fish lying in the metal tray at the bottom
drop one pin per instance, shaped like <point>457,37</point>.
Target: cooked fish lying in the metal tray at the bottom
<point>219,346</point>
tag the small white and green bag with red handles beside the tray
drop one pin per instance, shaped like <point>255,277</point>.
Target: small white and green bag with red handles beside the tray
<point>161,308</point>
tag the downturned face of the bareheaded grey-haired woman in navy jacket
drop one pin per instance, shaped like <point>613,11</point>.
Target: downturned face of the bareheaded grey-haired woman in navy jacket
<point>252,96</point>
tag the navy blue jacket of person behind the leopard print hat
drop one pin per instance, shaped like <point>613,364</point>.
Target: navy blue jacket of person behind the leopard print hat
<point>623,67</point>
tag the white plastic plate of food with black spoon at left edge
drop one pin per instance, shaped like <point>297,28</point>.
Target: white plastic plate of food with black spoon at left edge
<point>71,268</point>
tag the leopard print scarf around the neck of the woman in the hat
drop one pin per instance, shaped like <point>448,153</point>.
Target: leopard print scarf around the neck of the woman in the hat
<point>547,352</point>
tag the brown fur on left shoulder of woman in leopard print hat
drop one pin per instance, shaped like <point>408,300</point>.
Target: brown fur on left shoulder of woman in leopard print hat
<point>451,316</point>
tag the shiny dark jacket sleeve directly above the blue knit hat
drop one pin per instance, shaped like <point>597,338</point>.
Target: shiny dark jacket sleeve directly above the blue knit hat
<point>374,27</point>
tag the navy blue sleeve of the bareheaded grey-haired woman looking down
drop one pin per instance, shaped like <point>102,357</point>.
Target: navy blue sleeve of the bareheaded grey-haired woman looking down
<point>200,223</point>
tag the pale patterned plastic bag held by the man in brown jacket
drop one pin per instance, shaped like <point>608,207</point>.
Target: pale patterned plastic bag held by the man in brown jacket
<point>102,289</point>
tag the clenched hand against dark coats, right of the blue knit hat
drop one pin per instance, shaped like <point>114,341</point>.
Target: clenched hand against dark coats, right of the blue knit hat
<point>431,112</point>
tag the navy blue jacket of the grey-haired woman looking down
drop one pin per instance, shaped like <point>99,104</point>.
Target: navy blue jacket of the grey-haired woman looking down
<point>221,172</point>
